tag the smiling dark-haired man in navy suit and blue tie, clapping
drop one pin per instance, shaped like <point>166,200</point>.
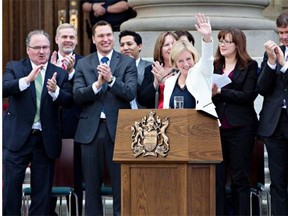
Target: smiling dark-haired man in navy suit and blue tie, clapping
<point>105,81</point>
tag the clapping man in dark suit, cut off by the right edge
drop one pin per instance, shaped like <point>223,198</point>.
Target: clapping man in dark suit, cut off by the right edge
<point>273,127</point>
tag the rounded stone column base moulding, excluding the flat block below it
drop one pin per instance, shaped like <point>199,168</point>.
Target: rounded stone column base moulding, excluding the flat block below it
<point>165,15</point>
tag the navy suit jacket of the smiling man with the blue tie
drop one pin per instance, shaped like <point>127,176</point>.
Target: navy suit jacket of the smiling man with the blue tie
<point>114,98</point>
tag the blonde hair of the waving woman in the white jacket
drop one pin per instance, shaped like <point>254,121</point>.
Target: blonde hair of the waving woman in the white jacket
<point>178,48</point>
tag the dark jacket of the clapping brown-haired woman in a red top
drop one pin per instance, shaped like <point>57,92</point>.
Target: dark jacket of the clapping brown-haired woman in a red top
<point>146,92</point>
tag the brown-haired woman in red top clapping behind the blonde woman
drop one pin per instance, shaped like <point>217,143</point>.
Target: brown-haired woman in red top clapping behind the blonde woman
<point>154,74</point>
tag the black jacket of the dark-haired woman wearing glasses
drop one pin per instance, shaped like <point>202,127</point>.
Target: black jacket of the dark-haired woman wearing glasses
<point>237,101</point>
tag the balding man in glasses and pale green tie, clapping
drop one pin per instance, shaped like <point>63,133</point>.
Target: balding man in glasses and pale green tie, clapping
<point>31,132</point>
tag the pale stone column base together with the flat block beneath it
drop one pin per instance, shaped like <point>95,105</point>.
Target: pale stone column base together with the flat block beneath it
<point>156,16</point>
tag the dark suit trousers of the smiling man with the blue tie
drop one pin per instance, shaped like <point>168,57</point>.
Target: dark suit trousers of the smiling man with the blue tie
<point>94,157</point>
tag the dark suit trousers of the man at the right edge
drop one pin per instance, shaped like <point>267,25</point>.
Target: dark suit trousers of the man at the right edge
<point>277,149</point>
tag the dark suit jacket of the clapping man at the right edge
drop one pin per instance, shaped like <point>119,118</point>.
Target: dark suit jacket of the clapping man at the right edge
<point>273,86</point>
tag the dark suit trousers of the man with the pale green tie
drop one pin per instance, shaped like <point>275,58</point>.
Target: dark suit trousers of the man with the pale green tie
<point>42,172</point>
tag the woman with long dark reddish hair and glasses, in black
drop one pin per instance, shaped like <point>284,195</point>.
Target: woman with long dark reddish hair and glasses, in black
<point>235,108</point>
